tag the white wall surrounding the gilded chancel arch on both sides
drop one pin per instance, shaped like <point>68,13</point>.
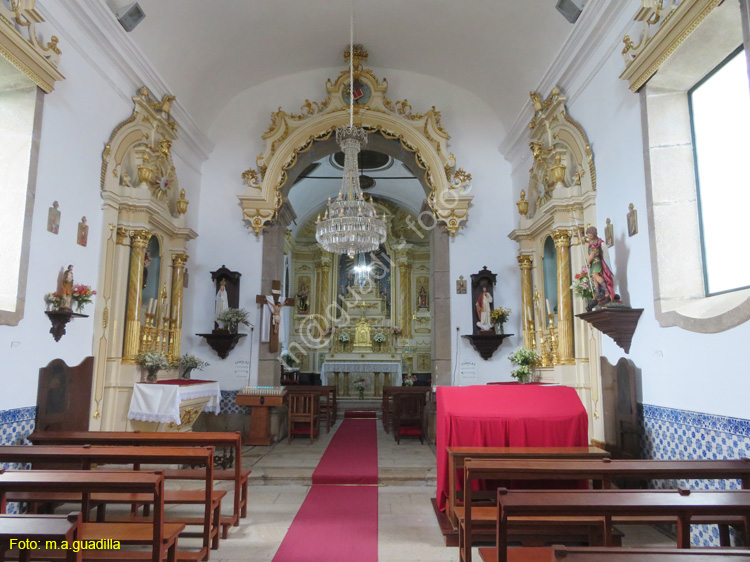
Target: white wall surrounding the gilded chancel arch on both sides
<point>476,133</point>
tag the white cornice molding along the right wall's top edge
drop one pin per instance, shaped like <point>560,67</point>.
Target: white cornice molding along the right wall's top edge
<point>595,36</point>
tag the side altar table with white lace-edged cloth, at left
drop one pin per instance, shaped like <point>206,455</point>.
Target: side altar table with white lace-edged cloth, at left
<point>172,405</point>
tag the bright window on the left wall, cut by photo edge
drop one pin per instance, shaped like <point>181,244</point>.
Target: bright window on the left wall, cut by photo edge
<point>18,99</point>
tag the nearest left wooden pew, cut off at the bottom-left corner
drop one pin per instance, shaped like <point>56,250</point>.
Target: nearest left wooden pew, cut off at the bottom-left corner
<point>41,528</point>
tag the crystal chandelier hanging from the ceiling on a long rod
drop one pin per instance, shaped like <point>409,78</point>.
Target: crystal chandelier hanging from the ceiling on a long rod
<point>351,224</point>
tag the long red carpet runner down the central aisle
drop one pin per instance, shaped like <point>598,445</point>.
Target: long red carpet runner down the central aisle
<point>338,521</point>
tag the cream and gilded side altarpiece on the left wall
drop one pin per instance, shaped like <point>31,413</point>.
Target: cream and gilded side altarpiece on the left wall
<point>139,306</point>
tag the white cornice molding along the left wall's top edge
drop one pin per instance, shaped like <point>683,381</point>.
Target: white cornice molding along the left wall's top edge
<point>90,27</point>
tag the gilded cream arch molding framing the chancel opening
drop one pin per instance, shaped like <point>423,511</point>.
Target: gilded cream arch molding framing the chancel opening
<point>422,134</point>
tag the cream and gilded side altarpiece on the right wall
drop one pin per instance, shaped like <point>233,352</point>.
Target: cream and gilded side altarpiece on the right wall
<point>558,203</point>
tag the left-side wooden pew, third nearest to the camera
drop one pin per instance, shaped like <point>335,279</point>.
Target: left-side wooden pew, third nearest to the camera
<point>86,456</point>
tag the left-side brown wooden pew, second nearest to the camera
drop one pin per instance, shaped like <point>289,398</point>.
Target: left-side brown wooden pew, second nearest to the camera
<point>162,537</point>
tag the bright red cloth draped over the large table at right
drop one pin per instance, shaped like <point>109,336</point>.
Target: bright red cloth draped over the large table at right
<point>506,416</point>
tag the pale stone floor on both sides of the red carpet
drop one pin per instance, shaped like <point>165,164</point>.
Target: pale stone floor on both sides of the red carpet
<point>408,531</point>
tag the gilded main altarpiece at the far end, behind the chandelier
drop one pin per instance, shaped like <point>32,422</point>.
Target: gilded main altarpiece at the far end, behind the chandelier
<point>385,319</point>
